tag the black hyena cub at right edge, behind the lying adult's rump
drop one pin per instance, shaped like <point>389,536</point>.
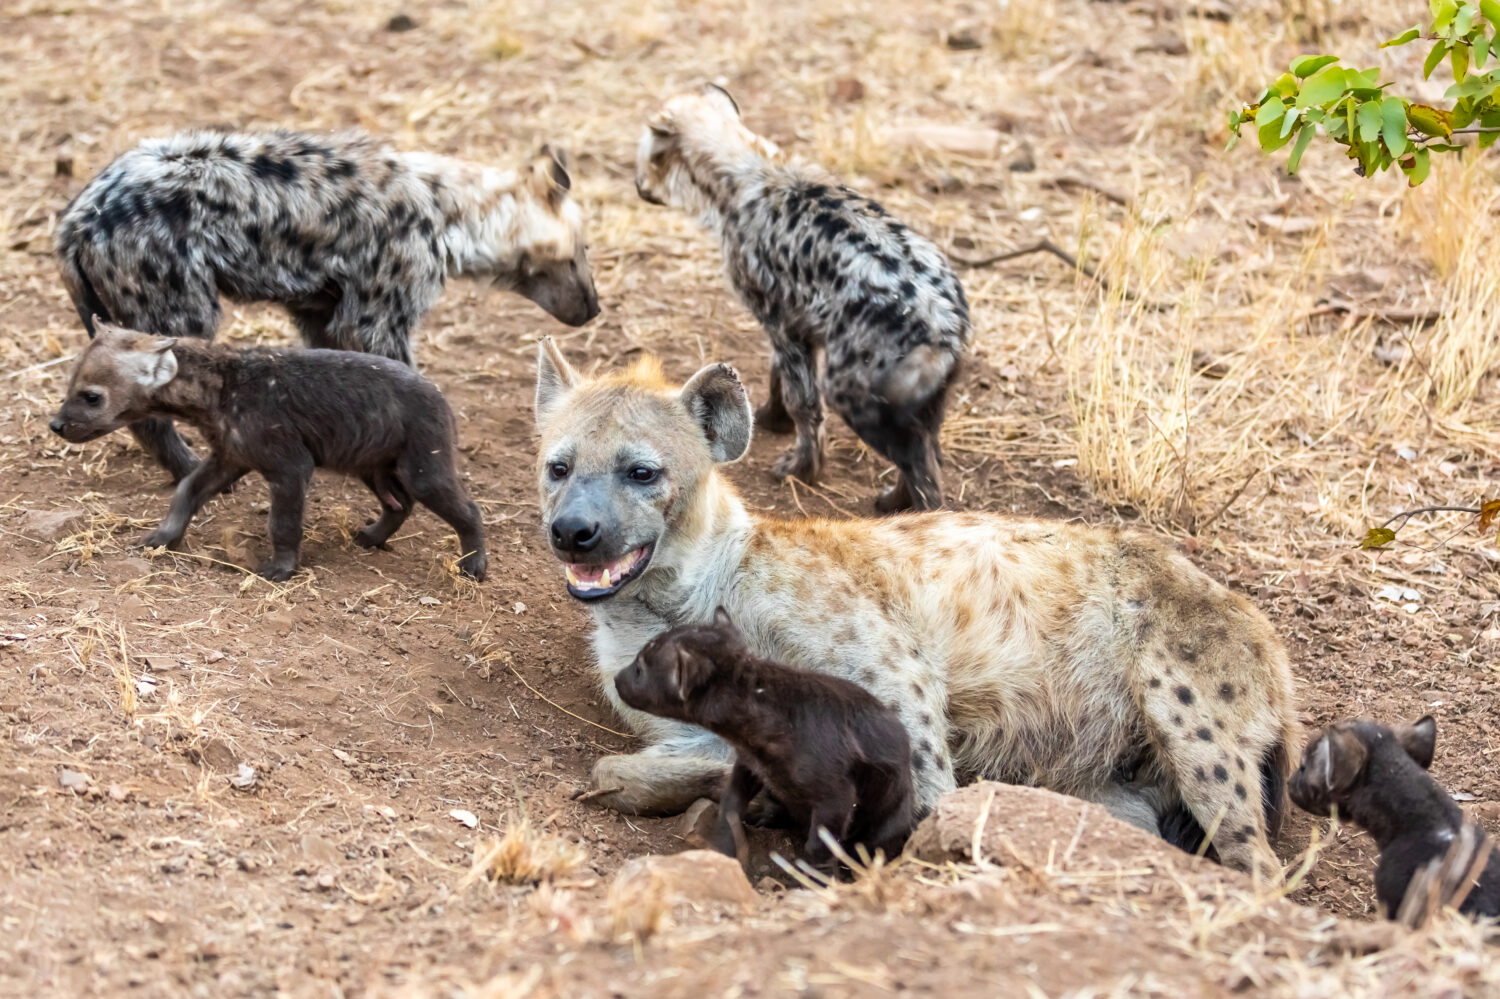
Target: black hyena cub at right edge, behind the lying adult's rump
<point>1378,779</point>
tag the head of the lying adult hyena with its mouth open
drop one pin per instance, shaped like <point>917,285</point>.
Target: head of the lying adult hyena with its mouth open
<point>626,466</point>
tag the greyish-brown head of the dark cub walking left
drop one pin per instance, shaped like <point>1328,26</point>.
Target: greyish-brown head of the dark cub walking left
<point>113,383</point>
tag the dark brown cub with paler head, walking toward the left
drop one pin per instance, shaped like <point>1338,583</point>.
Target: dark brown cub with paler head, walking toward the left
<point>281,413</point>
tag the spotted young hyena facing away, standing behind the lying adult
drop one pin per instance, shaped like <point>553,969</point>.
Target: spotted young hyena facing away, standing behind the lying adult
<point>830,277</point>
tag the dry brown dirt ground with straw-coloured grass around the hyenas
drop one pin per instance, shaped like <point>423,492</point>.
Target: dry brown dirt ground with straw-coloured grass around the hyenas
<point>1238,388</point>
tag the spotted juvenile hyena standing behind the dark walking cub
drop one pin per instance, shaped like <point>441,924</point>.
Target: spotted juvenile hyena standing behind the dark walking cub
<point>353,238</point>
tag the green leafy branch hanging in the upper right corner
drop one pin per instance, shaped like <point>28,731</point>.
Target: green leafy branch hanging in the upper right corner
<point>1355,109</point>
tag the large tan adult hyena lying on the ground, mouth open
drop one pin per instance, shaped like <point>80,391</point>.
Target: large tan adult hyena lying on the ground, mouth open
<point>1096,662</point>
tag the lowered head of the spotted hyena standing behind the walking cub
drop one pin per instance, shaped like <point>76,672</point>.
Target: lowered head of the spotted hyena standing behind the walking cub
<point>551,265</point>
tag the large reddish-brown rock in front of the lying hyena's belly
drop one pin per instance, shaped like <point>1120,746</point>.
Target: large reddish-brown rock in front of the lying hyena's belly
<point>1036,827</point>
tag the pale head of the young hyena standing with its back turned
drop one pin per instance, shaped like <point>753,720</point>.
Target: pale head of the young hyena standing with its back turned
<point>688,143</point>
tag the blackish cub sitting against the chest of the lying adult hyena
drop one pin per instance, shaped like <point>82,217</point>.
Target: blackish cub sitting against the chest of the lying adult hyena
<point>823,748</point>
